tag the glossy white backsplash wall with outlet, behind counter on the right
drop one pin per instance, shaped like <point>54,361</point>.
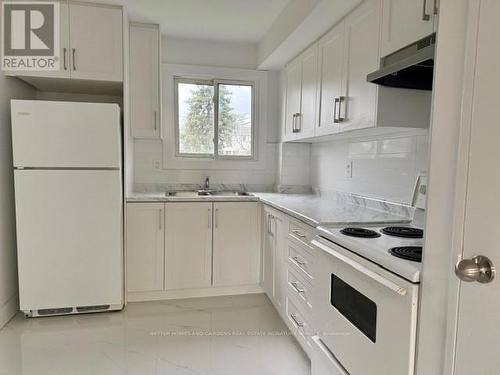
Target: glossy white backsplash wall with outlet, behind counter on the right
<point>382,167</point>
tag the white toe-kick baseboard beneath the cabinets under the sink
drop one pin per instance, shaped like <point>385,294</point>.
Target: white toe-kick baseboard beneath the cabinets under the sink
<point>193,293</point>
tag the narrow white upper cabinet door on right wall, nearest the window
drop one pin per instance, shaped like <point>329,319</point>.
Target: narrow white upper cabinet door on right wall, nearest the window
<point>293,96</point>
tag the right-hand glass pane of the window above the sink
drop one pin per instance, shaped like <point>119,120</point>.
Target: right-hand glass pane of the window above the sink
<point>235,120</point>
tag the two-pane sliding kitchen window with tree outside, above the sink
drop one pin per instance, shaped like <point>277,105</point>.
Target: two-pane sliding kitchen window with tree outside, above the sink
<point>214,119</point>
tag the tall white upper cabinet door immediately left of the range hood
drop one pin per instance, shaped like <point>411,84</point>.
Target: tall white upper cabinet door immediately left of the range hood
<point>358,109</point>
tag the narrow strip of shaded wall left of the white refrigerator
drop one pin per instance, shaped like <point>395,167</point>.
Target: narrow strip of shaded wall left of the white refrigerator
<point>9,88</point>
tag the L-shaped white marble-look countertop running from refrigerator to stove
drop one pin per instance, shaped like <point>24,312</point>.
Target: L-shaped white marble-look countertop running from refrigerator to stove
<point>308,208</point>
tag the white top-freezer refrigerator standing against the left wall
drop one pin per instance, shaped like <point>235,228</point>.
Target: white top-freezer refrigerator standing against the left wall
<point>69,211</point>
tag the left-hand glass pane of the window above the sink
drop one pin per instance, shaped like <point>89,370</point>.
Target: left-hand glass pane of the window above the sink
<point>196,118</point>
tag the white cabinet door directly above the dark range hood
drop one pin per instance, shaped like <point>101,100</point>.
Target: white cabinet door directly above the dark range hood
<point>404,22</point>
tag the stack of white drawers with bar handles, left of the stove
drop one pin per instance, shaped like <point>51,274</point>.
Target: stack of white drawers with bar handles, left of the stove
<point>299,282</point>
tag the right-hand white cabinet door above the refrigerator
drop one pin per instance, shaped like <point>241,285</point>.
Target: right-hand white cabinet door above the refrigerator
<point>96,41</point>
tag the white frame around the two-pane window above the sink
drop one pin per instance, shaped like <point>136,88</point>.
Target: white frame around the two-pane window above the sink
<point>215,83</point>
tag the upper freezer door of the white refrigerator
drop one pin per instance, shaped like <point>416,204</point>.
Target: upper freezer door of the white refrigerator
<point>49,134</point>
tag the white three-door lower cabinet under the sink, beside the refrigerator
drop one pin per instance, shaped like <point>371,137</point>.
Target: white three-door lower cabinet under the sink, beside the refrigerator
<point>180,249</point>
